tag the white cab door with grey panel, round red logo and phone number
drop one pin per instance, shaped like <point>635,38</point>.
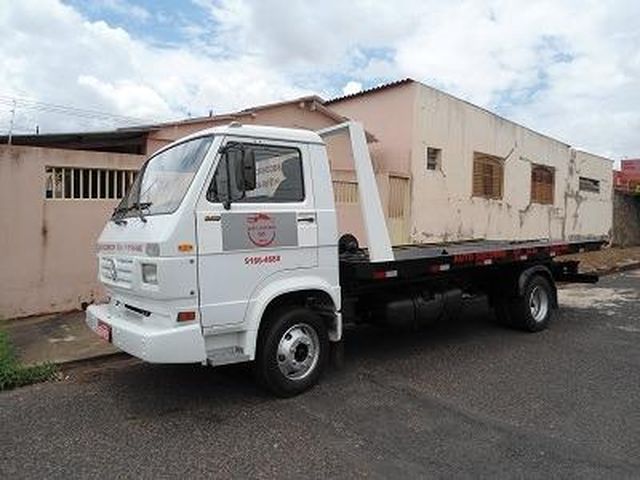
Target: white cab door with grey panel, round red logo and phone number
<point>271,229</point>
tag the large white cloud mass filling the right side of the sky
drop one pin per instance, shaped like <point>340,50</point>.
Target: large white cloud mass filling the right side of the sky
<point>570,69</point>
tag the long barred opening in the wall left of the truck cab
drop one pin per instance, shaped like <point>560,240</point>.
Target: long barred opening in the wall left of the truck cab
<point>87,183</point>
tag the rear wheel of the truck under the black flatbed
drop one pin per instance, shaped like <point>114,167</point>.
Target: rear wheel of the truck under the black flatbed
<point>532,312</point>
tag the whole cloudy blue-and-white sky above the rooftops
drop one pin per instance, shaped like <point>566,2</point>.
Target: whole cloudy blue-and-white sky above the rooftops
<point>566,68</point>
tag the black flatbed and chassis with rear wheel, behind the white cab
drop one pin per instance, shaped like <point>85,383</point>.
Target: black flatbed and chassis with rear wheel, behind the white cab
<point>428,282</point>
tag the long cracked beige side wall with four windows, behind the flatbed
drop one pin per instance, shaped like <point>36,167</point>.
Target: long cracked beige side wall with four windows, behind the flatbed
<point>444,207</point>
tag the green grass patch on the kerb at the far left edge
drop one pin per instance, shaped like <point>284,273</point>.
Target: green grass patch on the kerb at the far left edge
<point>13,374</point>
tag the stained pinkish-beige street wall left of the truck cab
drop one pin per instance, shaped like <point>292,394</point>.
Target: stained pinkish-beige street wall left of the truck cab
<point>48,259</point>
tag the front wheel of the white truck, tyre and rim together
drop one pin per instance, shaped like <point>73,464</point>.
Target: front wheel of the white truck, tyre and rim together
<point>292,351</point>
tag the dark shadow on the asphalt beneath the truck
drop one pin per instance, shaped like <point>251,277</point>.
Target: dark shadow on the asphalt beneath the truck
<point>146,390</point>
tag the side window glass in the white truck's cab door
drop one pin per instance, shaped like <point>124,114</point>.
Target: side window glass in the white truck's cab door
<point>279,177</point>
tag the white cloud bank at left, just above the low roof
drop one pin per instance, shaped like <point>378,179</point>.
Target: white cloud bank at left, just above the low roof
<point>52,54</point>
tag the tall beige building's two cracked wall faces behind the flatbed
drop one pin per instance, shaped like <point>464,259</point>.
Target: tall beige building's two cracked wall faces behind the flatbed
<point>409,117</point>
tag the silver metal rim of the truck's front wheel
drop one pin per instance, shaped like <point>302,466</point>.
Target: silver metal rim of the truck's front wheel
<point>298,351</point>
